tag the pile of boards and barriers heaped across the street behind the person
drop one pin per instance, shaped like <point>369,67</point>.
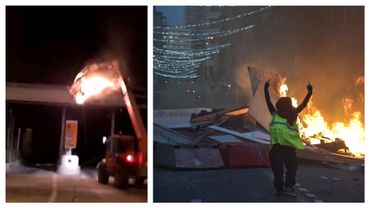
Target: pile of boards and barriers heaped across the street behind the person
<point>202,138</point>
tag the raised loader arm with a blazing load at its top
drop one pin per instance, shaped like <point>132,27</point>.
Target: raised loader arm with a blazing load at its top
<point>100,79</point>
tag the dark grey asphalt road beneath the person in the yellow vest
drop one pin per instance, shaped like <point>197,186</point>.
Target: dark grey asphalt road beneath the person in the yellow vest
<point>315,183</point>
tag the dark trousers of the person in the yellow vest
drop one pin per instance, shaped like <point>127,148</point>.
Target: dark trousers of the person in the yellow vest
<point>279,156</point>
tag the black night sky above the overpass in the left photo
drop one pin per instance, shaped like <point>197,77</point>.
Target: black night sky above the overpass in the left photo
<point>50,45</point>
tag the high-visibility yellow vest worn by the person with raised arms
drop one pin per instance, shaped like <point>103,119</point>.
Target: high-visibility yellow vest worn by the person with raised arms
<point>281,132</point>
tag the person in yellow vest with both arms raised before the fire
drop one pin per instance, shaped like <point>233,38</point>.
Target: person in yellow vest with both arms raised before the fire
<point>285,140</point>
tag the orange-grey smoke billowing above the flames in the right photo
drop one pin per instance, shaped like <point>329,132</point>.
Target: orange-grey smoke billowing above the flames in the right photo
<point>323,45</point>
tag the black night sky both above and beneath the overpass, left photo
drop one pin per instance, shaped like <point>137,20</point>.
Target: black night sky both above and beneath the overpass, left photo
<point>50,45</point>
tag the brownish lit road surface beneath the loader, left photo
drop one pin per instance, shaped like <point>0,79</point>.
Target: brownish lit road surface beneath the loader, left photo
<point>36,185</point>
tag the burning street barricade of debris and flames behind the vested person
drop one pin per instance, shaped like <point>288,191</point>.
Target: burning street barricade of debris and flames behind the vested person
<point>244,131</point>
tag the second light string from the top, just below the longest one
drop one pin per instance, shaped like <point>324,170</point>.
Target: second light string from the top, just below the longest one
<point>222,34</point>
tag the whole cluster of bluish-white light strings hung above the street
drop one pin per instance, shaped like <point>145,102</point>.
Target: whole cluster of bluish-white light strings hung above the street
<point>179,52</point>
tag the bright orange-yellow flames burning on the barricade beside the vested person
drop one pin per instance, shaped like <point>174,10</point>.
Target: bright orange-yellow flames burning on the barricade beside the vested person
<point>313,126</point>
